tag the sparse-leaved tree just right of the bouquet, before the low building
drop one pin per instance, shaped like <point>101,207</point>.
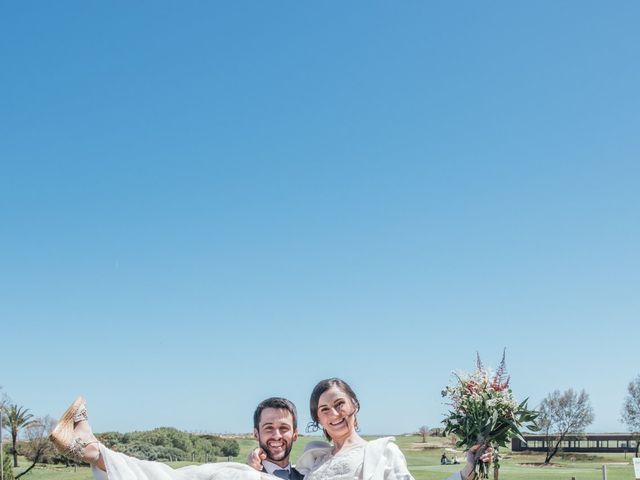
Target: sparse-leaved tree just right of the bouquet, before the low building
<point>561,414</point>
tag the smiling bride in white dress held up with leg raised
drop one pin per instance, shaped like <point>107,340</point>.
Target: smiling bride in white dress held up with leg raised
<point>333,406</point>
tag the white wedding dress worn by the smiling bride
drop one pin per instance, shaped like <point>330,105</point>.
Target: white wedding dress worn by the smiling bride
<point>379,459</point>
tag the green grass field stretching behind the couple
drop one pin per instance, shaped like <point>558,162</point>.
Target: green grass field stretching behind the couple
<point>424,464</point>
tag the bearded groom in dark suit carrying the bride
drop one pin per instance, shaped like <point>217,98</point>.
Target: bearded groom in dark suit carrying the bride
<point>275,426</point>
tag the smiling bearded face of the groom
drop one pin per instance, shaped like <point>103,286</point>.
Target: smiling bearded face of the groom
<point>275,434</point>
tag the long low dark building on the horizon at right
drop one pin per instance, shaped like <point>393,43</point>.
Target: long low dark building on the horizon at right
<point>586,443</point>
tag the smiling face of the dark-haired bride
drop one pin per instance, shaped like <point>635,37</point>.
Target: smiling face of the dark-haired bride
<point>336,413</point>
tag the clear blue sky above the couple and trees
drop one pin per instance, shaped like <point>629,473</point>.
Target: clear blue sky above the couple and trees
<point>203,204</point>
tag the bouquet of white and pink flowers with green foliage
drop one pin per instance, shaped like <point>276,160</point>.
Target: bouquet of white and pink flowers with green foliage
<point>483,411</point>
